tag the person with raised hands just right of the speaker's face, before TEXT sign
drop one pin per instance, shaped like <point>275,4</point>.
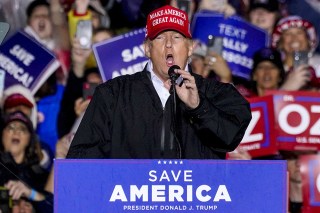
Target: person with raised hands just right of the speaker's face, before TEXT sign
<point>209,64</point>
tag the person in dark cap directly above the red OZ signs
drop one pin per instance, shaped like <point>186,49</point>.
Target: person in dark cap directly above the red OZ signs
<point>267,72</point>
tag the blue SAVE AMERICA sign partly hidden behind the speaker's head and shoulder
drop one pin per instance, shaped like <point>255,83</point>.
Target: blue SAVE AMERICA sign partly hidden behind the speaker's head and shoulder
<point>121,55</point>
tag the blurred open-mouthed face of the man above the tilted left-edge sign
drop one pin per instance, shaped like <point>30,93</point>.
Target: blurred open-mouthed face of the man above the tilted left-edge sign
<point>40,22</point>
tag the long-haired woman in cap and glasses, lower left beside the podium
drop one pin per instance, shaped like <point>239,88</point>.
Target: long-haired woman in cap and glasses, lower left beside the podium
<point>21,172</point>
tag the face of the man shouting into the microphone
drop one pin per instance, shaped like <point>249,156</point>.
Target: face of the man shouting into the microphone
<point>167,49</point>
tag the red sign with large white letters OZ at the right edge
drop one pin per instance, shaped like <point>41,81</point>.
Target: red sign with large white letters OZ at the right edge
<point>297,116</point>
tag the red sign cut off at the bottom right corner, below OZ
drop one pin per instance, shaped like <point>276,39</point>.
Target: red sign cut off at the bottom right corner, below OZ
<point>310,171</point>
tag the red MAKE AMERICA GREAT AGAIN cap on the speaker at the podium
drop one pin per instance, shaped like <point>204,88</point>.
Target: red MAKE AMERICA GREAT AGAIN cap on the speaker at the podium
<point>167,18</point>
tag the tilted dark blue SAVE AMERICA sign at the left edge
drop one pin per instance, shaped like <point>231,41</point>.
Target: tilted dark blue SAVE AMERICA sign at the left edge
<point>26,62</point>
